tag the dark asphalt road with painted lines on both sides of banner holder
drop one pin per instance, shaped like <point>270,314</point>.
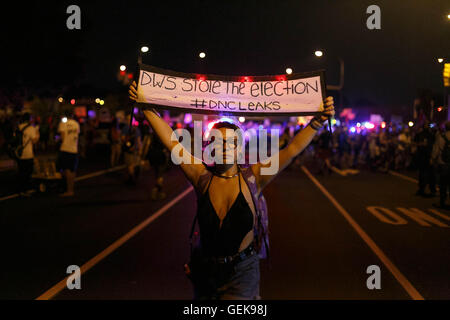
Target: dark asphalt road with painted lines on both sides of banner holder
<point>325,231</point>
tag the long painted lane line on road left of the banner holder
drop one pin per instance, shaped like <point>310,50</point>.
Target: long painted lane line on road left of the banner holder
<point>50,293</point>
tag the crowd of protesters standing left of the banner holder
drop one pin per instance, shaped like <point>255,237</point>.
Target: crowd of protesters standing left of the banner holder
<point>66,139</point>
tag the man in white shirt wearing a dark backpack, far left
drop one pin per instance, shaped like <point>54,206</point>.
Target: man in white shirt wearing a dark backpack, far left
<point>25,161</point>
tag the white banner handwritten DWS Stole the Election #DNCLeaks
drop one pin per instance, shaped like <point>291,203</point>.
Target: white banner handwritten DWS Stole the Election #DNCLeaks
<point>202,94</point>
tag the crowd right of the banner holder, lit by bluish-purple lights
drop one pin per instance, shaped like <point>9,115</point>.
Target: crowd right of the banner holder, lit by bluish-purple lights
<point>423,148</point>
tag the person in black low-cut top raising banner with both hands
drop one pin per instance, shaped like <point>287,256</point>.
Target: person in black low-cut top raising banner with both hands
<point>226,263</point>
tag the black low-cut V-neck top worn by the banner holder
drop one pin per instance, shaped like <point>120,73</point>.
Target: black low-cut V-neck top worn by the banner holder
<point>223,240</point>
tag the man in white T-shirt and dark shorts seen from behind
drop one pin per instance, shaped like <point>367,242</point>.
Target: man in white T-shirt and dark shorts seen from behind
<point>69,129</point>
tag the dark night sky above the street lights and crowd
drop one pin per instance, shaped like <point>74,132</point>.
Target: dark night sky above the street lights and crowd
<point>382,67</point>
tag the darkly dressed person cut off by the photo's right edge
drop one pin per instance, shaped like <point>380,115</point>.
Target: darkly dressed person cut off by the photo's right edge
<point>441,158</point>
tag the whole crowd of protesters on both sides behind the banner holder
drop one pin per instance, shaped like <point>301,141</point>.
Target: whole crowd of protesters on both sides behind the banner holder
<point>344,151</point>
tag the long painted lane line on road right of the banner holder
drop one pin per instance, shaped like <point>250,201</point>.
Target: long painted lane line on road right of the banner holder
<point>372,245</point>
